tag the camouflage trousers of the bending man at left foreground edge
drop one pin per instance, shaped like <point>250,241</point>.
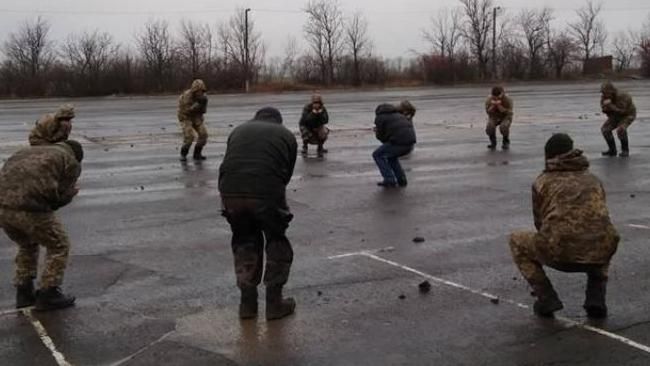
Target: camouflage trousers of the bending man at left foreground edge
<point>30,230</point>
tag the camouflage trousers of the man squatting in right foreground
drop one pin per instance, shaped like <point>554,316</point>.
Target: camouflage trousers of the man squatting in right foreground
<point>530,253</point>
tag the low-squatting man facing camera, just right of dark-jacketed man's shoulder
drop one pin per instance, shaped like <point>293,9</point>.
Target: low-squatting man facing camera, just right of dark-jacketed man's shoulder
<point>312,125</point>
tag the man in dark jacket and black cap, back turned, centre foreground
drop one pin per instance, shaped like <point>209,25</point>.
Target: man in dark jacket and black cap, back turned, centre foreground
<point>258,165</point>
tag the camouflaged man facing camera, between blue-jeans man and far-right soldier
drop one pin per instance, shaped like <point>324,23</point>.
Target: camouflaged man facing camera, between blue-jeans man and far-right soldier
<point>499,109</point>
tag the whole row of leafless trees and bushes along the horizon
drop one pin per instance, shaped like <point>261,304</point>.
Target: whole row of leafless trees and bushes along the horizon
<point>475,41</point>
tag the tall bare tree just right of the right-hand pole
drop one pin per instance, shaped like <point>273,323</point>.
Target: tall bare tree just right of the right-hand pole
<point>533,24</point>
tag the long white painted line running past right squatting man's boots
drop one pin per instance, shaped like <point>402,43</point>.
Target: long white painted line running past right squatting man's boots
<point>566,321</point>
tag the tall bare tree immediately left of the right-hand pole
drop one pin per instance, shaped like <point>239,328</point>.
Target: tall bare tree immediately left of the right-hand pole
<point>478,25</point>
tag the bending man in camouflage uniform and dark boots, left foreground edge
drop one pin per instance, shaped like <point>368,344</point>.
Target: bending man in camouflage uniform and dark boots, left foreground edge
<point>35,182</point>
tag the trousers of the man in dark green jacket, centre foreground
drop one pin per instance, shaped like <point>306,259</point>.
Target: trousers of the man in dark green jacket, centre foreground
<point>258,226</point>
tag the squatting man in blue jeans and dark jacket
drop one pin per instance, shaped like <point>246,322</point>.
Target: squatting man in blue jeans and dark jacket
<point>397,136</point>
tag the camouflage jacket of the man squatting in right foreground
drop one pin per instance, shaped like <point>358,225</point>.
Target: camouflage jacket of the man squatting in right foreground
<point>571,212</point>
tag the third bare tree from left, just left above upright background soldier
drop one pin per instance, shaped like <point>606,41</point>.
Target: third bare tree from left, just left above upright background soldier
<point>156,48</point>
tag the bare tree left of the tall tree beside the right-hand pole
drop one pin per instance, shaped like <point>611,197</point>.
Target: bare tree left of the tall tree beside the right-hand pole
<point>444,33</point>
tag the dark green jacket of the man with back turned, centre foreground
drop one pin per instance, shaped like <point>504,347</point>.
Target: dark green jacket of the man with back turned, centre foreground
<point>259,161</point>
